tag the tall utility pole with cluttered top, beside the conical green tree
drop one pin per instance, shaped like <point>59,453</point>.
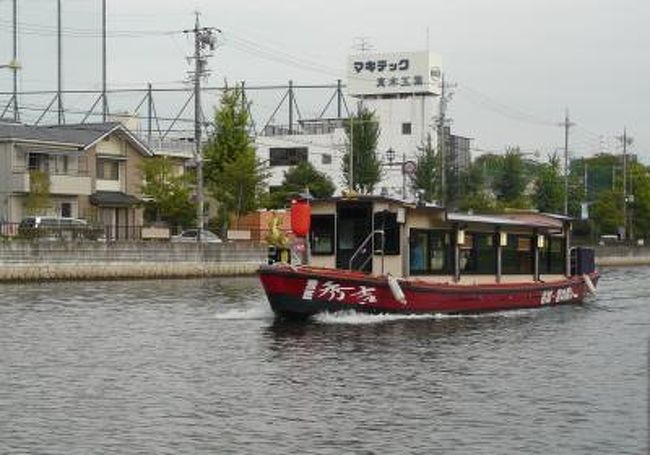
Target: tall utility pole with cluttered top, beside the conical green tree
<point>204,38</point>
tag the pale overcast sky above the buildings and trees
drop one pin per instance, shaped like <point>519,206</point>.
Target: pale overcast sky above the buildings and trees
<point>517,63</point>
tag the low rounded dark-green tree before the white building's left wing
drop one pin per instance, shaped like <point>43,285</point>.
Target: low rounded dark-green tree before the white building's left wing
<point>299,177</point>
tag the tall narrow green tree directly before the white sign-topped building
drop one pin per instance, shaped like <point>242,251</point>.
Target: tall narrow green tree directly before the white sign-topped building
<point>362,131</point>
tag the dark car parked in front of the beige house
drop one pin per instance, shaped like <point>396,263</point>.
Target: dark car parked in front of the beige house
<point>55,228</point>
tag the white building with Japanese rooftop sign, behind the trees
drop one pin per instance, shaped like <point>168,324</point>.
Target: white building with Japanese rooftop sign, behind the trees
<point>401,88</point>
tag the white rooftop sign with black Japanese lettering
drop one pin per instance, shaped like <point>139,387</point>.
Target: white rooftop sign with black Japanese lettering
<point>393,73</point>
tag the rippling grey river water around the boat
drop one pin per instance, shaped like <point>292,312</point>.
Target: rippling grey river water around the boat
<point>200,366</point>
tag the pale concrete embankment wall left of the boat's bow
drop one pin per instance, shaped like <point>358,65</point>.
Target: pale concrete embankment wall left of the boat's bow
<point>35,261</point>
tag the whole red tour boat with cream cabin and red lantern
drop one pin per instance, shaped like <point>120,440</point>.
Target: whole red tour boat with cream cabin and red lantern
<point>380,255</point>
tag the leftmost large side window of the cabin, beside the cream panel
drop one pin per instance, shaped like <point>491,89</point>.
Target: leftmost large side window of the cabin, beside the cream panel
<point>430,252</point>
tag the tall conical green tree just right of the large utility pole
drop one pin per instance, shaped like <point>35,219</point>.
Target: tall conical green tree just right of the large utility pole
<point>233,174</point>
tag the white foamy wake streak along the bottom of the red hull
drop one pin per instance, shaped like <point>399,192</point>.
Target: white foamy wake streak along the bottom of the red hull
<point>355,318</point>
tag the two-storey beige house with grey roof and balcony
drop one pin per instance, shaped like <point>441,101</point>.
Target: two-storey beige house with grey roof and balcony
<point>93,172</point>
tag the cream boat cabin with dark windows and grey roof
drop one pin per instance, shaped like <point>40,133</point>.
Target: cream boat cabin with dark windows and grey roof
<point>381,235</point>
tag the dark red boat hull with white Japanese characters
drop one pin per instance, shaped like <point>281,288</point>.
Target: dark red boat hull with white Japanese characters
<point>299,292</point>
